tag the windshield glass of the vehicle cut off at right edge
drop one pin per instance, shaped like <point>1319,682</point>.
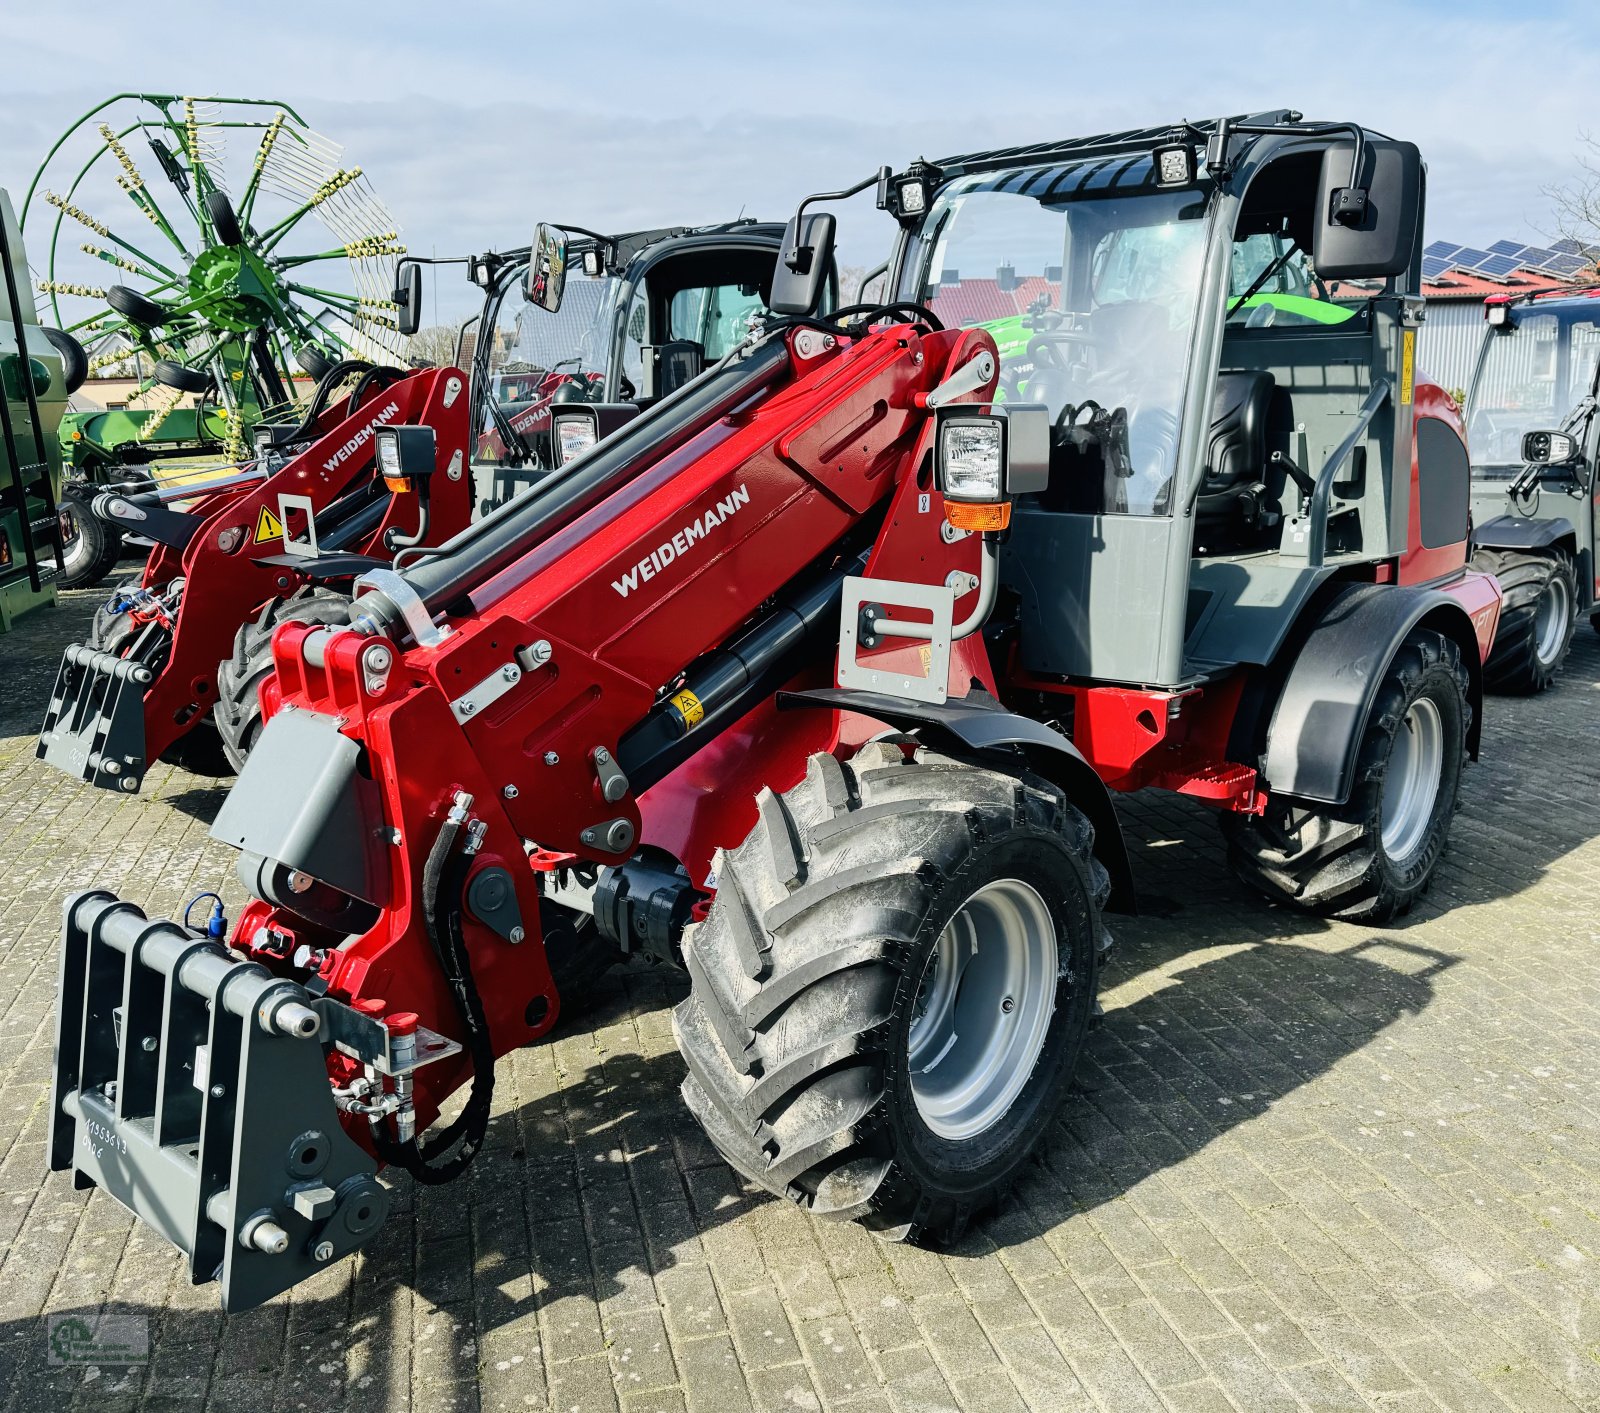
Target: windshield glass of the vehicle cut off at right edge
<point>1530,380</point>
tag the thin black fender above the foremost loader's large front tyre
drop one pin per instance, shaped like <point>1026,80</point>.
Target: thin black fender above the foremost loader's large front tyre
<point>978,726</point>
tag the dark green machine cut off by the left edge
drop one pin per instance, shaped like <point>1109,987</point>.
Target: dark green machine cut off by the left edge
<point>39,369</point>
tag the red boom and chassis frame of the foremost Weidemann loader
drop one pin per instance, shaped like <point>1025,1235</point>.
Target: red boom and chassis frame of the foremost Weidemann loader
<point>839,444</point>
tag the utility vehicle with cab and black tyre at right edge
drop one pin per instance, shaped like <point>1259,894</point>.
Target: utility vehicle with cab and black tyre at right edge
<point>1535,444</point>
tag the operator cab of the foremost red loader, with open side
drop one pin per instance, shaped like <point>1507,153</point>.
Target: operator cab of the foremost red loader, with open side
<point>1226,436</point>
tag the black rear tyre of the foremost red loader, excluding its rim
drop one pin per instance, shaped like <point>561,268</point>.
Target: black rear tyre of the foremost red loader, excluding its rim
<point>1330,862</point>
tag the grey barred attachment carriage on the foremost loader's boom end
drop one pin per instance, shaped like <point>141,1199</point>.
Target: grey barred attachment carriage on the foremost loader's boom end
<point>193,1087</point>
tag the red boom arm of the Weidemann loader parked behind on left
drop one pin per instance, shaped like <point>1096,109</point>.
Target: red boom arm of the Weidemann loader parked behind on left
<point>230,574</point>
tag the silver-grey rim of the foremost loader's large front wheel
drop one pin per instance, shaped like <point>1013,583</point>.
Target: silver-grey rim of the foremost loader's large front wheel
<point>983,1009</point>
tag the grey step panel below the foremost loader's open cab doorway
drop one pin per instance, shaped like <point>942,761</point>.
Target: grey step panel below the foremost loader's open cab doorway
<point>1241,610</point>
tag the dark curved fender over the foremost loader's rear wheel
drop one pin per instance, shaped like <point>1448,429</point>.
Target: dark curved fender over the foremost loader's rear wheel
<point>1334,681</point>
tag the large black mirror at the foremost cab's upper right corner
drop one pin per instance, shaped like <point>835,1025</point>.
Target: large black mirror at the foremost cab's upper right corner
<point>1367,222</point>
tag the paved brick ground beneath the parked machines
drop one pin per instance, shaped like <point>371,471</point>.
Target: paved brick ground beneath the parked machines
<point>1311,1166</point>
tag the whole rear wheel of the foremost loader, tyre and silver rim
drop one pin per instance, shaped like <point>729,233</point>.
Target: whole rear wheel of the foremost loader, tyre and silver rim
<point>1372,860</point>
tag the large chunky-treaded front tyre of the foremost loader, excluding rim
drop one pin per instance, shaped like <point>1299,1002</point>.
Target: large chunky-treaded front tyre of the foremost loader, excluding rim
<point>810,961</point>
